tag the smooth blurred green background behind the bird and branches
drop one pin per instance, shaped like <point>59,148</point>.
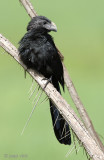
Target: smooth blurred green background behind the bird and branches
<point>80,38</point>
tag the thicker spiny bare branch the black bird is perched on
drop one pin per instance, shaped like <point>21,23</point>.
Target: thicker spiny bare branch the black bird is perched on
<point>63,107</point>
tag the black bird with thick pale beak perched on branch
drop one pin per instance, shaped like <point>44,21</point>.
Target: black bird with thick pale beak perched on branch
<point>38,52</point>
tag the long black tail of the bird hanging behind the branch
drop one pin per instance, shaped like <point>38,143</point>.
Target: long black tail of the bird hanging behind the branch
<point>61,127</point>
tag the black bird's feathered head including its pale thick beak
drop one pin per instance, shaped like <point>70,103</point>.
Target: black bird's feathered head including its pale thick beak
<point>41,22</point>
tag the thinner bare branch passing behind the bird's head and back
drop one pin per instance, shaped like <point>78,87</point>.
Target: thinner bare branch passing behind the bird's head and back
<point>73,93</point>
